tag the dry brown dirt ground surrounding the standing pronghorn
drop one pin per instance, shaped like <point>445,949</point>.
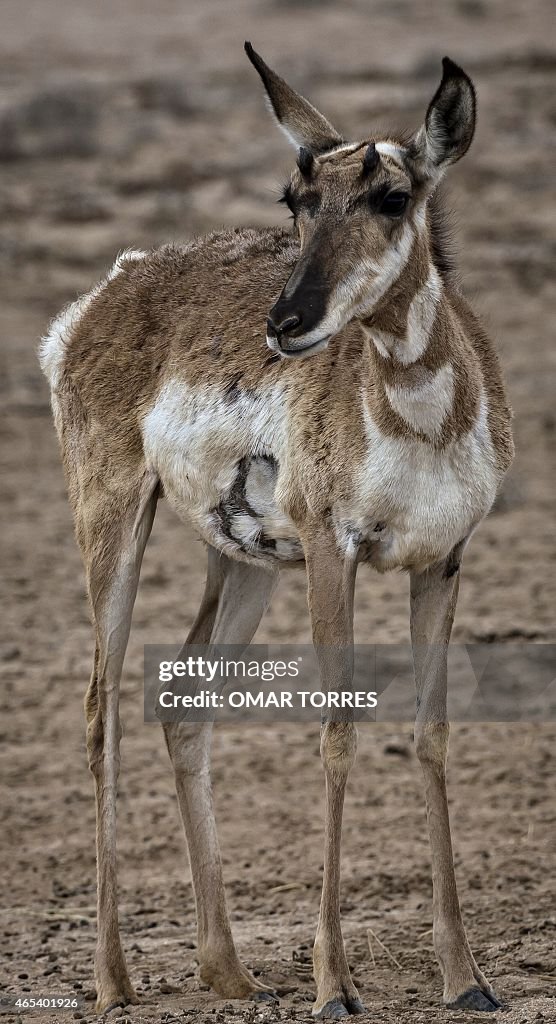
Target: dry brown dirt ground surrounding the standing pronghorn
<point>135,123</point>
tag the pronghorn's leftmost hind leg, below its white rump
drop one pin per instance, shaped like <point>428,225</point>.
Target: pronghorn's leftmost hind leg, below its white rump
<point>113,532</point>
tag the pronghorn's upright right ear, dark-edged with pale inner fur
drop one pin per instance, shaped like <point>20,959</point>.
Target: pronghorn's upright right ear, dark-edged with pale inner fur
<point>450,124</point>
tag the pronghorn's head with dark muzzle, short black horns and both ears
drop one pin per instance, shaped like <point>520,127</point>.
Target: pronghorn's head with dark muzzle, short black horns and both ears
<point>360,209</point>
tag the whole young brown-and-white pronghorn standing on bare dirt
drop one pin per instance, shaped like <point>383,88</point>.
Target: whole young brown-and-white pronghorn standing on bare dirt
<point>387,446</point>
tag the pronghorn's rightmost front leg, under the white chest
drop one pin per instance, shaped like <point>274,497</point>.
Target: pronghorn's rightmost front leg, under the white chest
<point>434,598</point>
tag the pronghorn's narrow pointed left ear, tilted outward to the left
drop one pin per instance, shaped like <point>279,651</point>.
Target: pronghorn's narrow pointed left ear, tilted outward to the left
<point>300,120</point>
